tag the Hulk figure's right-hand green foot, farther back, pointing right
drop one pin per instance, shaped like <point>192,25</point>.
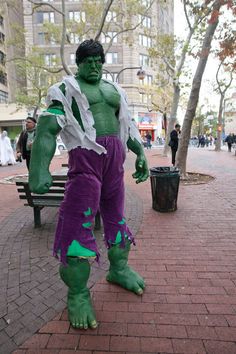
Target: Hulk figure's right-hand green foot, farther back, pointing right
<point>128,279</point>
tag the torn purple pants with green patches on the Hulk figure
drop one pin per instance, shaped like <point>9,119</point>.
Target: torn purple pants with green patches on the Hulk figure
<point>94,182</point>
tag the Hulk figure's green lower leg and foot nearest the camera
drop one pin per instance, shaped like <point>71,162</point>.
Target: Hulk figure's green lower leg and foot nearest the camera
<point>75,275</point>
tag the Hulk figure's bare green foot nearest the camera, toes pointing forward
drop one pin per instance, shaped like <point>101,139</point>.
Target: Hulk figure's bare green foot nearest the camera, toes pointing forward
<point>80,310</point>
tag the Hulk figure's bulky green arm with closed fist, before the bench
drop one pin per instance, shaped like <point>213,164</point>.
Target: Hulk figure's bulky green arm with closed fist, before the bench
<point>43,150</point>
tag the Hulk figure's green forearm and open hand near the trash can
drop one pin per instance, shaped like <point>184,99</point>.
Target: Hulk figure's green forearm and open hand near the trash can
<point>141,174</point>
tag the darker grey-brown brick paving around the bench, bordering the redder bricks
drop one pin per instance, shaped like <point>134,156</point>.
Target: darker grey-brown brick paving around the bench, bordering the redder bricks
<point>31,292</point>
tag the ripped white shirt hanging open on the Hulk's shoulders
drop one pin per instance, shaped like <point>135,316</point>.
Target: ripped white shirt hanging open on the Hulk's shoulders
<point>72,134</point>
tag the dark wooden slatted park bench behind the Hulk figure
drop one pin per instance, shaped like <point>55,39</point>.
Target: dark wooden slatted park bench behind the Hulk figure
<point>53,198</point>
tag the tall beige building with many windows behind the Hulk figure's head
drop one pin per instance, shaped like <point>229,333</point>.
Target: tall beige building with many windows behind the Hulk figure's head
<point>127,52</point>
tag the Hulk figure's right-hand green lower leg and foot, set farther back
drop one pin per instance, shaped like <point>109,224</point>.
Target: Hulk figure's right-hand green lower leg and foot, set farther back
<point>119,271</point>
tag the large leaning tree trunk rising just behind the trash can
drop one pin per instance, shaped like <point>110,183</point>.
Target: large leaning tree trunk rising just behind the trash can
<point>194,94</point>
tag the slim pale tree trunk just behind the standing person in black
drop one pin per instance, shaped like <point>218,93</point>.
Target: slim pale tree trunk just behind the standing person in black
<point>172,120</point>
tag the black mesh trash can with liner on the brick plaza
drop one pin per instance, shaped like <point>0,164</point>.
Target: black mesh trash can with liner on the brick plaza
<point>165,187</point>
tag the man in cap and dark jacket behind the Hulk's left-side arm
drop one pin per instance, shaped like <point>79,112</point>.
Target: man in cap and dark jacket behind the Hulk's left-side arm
<point>25,141</point>
